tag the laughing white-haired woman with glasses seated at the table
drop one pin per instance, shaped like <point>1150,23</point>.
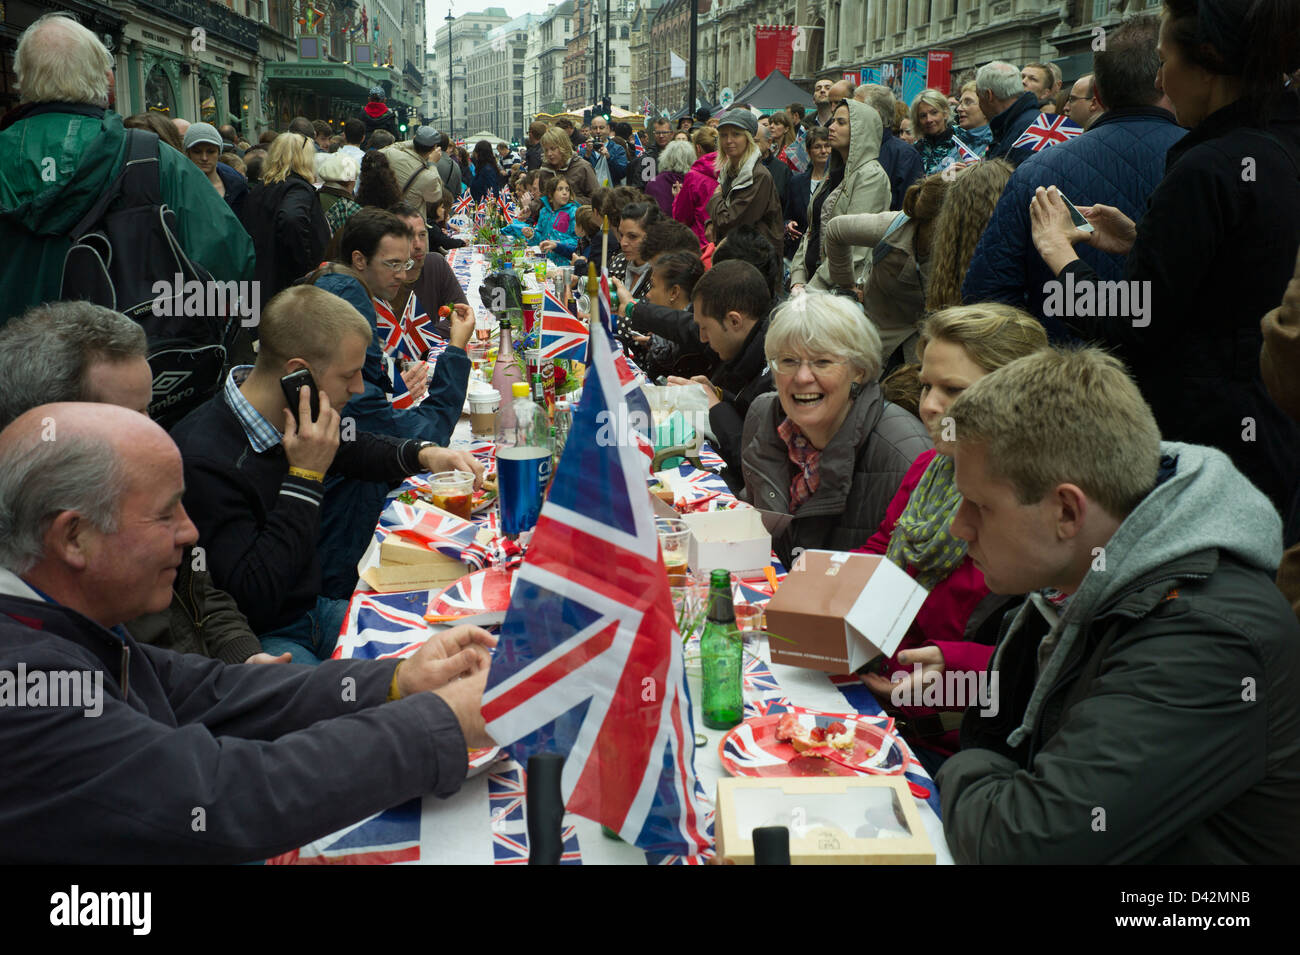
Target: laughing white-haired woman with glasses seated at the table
<point>826,449</point>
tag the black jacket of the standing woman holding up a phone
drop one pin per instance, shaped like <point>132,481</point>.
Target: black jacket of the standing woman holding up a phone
<point>1216,250</point>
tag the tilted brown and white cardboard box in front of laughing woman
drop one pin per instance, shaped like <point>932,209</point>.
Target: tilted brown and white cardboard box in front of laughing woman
<point>839,611</point>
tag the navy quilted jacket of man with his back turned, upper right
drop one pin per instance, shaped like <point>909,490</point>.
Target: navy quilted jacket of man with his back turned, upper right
<point>1119,162</point>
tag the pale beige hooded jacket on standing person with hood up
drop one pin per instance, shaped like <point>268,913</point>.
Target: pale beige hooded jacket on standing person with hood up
<point>855,186</point>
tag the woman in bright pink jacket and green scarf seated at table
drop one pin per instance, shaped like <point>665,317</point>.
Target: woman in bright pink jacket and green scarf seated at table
<point>959,346</point>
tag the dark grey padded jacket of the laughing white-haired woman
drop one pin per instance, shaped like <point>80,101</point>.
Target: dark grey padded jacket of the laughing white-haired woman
<point>861,471</point>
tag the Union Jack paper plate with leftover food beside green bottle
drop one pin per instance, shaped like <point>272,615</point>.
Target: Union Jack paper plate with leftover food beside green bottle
<point>752,749</point>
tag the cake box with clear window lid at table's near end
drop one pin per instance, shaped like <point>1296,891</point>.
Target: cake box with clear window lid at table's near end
<point>833,819</point>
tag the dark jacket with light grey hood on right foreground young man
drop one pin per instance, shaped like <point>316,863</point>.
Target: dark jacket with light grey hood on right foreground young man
<point>1156,720</point>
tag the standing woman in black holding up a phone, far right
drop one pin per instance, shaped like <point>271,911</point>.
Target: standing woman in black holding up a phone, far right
<point>1217,244</point>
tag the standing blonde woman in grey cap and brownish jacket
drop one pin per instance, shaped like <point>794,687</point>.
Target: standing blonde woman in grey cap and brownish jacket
<point>746,192</point>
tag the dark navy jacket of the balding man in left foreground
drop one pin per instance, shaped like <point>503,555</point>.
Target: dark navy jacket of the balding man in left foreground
<point>276,756</point>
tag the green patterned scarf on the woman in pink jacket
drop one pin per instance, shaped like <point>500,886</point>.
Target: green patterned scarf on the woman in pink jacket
<point>924,535</point>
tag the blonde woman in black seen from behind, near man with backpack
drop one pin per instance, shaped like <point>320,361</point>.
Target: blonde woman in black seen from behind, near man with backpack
<point>284,215</point>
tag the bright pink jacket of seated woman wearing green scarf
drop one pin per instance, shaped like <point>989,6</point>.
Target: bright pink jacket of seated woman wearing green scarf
<point>942,620</point>
